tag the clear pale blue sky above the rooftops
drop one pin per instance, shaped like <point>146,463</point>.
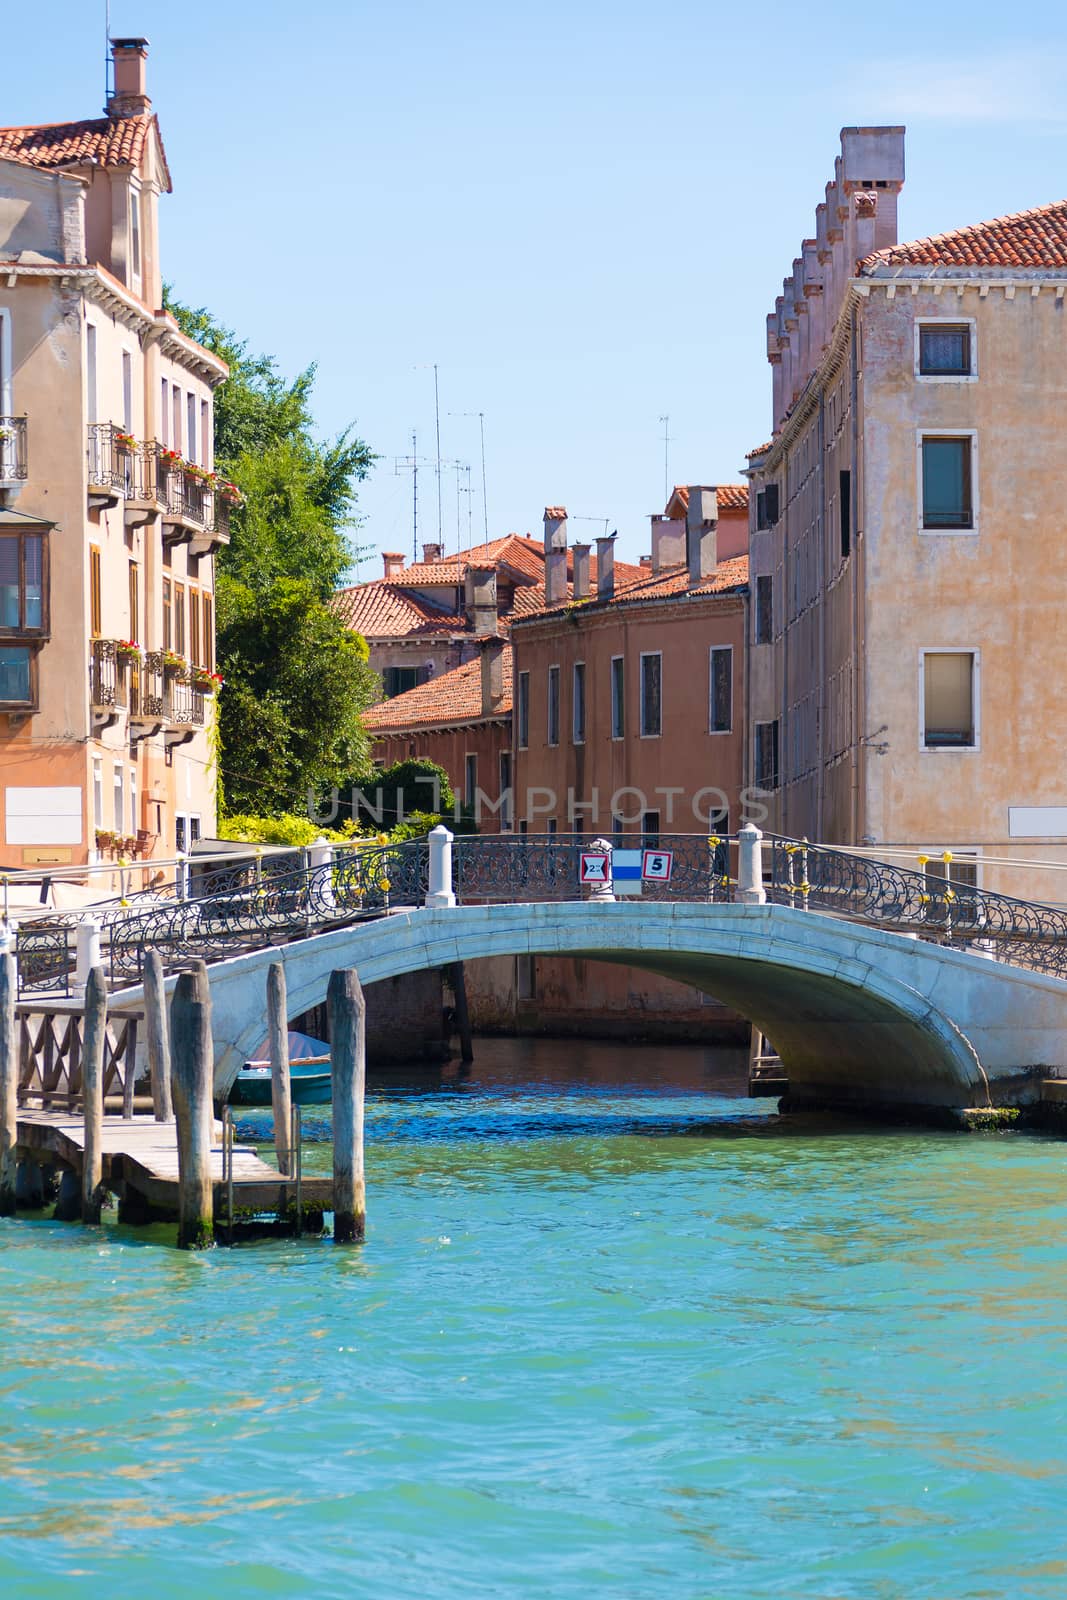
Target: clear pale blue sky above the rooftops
<point>580,212</point>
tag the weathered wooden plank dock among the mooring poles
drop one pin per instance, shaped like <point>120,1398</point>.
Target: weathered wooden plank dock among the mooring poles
<point>142,1154</point>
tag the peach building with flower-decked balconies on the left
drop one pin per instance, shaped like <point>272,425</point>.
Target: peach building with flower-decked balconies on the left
<point>110,510</point>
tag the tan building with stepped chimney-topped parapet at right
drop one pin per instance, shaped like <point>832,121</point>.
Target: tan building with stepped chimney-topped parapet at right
<point>908,641</point>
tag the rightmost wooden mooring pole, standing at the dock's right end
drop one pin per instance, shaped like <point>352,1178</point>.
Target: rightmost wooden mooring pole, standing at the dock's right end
<point>346,1010</point>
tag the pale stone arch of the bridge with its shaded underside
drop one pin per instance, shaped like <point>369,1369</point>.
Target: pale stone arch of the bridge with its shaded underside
<point>847,1007</point>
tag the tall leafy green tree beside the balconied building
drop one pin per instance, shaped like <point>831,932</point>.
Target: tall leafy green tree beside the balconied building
<point>297,679</point>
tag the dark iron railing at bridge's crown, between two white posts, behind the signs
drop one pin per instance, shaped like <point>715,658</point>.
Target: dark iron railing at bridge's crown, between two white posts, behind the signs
<point>548,866</point>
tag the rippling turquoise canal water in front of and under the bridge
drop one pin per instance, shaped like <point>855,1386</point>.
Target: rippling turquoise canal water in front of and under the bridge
<point>615,1332</point>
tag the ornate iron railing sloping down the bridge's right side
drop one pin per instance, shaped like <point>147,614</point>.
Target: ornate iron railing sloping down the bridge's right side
<point>937,908</point>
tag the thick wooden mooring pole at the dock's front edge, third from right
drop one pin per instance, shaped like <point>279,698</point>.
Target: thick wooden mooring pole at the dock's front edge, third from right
<point>193,1074</point>
